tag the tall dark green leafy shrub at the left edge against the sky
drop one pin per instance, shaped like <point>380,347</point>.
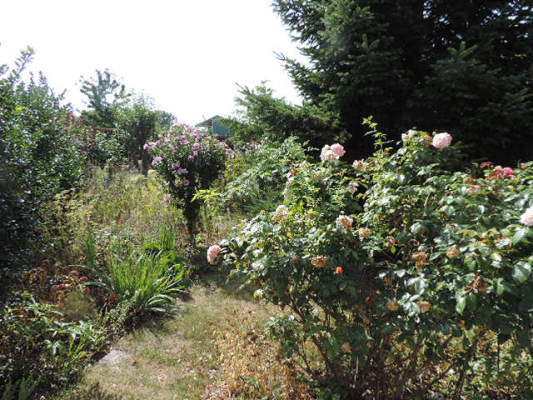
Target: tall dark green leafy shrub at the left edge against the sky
<point>39,157</point>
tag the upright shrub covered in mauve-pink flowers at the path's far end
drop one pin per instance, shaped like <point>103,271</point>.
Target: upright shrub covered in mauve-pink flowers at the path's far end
<point>187,161</point>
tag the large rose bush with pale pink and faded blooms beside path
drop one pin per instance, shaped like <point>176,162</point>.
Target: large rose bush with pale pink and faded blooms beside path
<point>412,279</point>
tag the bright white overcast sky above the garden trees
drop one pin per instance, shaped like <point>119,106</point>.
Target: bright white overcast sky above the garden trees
<point>187,54</point>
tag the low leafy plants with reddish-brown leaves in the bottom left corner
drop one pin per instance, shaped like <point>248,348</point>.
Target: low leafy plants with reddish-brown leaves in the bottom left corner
<point>29,328</point>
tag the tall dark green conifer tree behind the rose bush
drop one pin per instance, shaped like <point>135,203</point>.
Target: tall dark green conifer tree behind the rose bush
<point>460,66</point>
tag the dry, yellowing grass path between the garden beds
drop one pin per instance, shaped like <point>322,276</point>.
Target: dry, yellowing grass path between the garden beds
<point>174,359</point>
